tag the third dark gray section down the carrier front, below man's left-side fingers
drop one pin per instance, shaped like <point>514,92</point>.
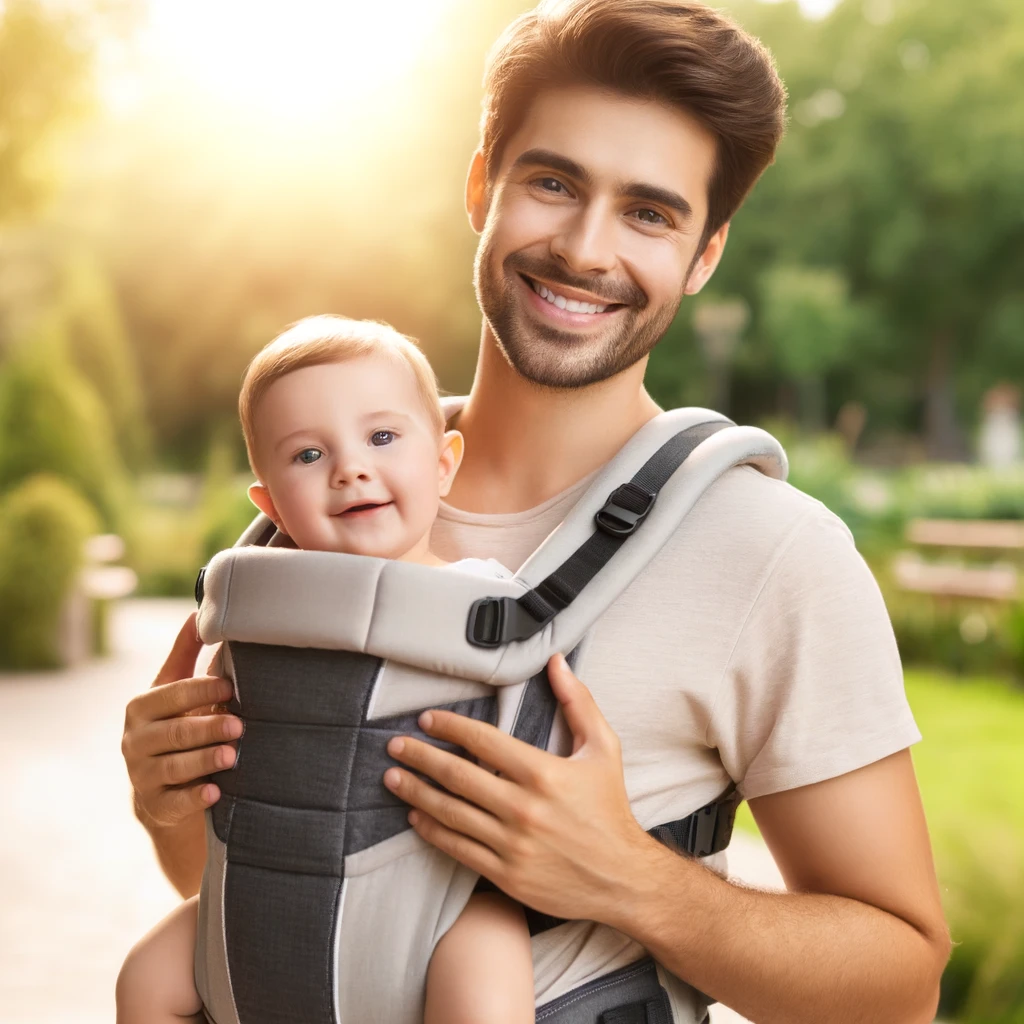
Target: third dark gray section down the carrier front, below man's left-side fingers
<point>284,839</point>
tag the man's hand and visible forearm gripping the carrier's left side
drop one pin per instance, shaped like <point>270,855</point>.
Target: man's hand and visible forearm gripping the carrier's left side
<point>169,749</point>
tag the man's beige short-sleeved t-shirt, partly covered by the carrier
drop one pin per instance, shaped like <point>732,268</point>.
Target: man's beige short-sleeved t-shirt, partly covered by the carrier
<point>754,649</point>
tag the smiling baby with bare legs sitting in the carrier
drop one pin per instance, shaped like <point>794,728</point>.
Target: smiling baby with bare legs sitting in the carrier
<point>347,438</point>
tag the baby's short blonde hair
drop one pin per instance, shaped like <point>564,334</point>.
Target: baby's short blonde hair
<point>319,340</point>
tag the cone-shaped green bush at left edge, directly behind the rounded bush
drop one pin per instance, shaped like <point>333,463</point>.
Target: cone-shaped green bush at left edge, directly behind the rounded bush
<point>52,421</point>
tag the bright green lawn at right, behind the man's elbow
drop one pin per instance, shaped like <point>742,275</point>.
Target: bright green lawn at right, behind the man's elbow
<point>971,771</point>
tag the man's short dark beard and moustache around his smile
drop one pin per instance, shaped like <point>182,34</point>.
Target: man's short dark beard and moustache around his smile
<point>559,359</point>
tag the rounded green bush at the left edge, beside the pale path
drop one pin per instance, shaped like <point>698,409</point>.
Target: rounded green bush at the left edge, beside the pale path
<point>44,527</point>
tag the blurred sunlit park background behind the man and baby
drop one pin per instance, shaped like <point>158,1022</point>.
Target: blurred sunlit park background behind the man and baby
<point>179,181</point>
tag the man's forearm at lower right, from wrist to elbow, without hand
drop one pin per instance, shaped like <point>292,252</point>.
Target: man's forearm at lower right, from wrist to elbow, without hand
<point>786,958</point>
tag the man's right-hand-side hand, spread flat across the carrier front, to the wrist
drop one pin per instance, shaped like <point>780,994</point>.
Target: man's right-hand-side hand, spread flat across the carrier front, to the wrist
<point>557,834</point>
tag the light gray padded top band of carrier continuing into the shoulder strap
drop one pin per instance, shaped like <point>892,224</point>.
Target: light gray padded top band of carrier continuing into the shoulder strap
<point>416,615</point>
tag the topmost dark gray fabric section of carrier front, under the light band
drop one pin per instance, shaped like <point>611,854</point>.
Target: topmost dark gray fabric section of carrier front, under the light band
<point>303,685</point>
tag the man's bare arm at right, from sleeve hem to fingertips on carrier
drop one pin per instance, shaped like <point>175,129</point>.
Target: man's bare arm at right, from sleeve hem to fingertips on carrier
<point>862,940</point>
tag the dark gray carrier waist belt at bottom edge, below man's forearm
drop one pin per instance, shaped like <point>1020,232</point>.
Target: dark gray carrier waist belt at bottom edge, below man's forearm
<point>636,984</point>
